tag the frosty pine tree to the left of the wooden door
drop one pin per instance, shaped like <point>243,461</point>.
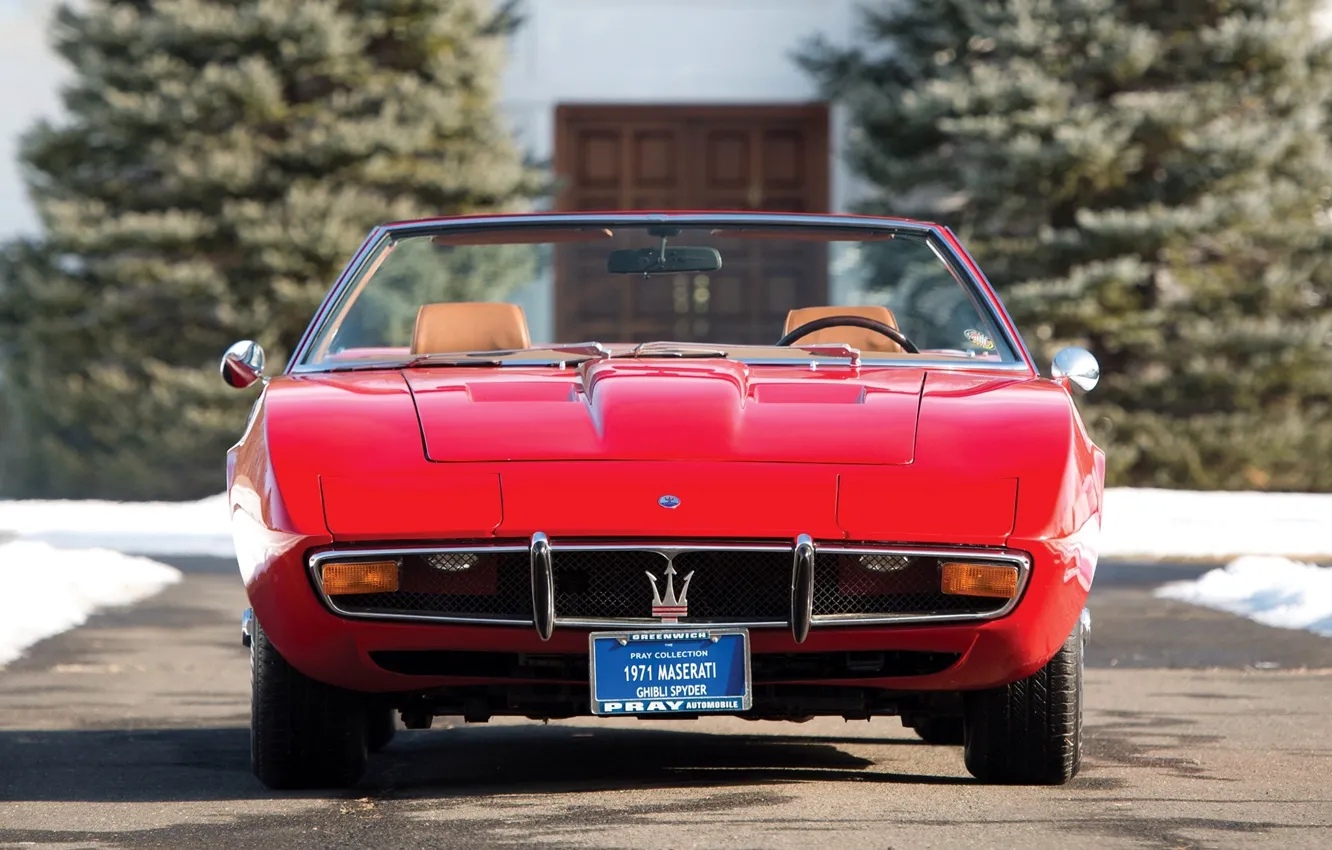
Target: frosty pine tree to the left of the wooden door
<point>219,163</point>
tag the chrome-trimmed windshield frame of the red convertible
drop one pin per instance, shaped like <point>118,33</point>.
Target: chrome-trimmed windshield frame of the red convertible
<point>942,240</point>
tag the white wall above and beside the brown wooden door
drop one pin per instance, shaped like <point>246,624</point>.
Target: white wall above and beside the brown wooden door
<point>669,53</point>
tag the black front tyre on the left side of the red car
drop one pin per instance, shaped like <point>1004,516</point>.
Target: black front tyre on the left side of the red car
<point>304,735</point>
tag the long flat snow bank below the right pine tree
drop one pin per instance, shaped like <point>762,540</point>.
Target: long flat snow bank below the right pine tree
<point>1186,524</point>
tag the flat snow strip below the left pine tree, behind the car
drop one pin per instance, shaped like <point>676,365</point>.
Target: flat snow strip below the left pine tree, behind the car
<point>200,528</point>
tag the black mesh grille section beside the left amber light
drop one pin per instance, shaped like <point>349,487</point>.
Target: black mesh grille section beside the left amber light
<point>455,584</point>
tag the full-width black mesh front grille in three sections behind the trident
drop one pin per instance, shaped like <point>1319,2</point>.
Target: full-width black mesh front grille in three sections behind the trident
<point>717,584</point>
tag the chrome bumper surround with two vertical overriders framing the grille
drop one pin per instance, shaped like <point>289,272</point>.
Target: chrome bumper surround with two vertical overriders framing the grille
<point>800,619</point>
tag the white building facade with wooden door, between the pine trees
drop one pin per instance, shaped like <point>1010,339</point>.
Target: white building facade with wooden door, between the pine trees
<point>673,105</point>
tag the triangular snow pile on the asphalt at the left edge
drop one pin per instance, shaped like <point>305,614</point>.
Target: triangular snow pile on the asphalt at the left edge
<point>50,591</point>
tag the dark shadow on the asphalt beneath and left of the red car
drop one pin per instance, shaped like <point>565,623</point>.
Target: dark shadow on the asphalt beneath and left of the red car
<point>179,765</point>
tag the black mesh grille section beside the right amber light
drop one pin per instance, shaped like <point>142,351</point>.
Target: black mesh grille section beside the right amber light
<point>888,584</point>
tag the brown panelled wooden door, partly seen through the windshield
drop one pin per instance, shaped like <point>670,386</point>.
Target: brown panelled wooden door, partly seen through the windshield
<point>697,159</point>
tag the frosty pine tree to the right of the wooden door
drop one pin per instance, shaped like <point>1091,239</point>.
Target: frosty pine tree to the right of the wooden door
<point>1149,181</point>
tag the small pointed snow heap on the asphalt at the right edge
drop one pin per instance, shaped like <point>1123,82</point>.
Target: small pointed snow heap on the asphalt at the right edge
<point>1275,592</point>
